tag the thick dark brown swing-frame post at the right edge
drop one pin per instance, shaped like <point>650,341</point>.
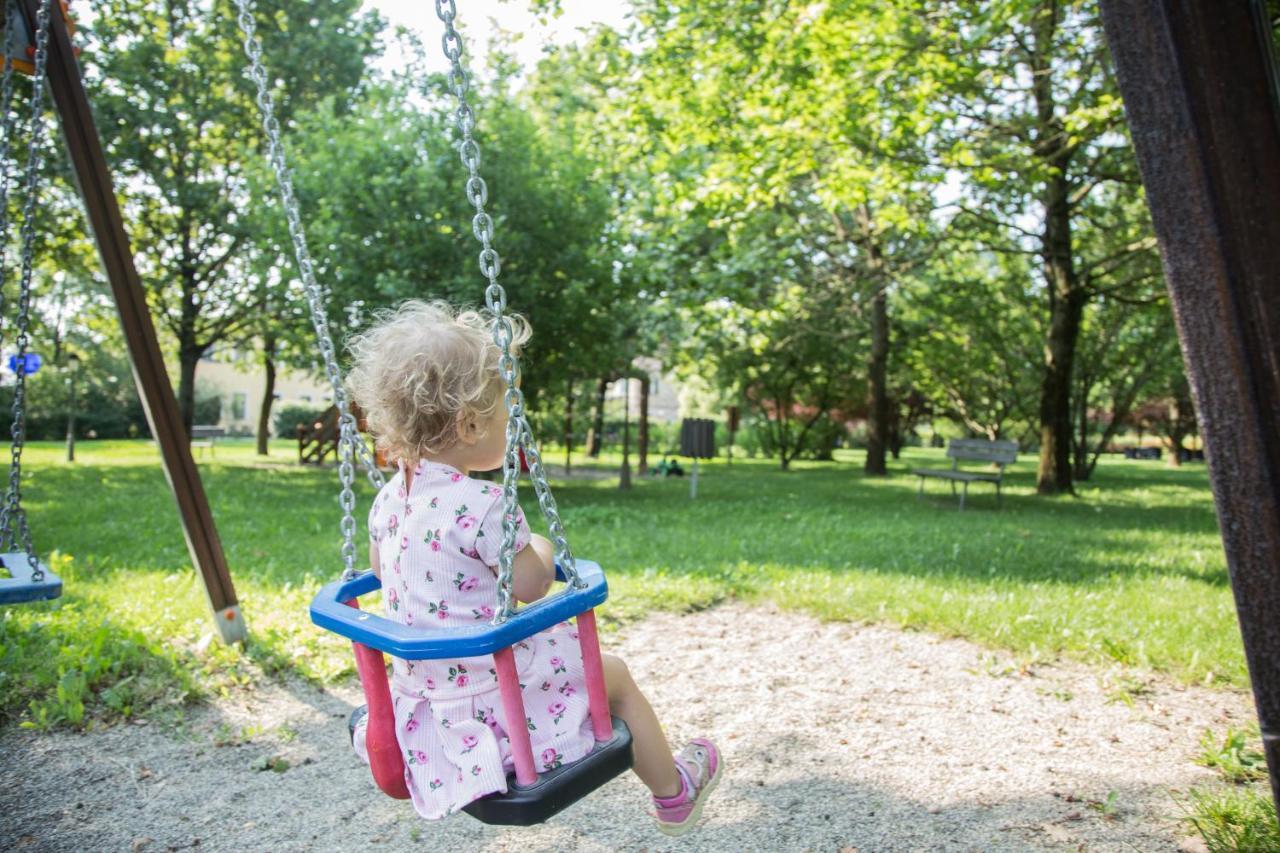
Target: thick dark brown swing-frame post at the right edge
<point>1200,89</point>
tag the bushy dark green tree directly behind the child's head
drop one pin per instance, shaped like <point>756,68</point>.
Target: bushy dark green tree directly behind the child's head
<point>385,199</point>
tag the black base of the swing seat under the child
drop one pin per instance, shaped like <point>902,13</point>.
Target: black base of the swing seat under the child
<point>557,790</point>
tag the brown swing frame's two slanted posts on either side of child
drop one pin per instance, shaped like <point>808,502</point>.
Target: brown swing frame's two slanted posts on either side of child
<point>1203,108</point>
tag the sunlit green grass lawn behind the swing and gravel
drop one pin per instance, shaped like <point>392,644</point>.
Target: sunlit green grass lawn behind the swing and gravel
<point>1132,572</point>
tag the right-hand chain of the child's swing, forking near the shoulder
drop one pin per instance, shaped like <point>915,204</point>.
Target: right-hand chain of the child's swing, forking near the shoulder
<point>519,432</point>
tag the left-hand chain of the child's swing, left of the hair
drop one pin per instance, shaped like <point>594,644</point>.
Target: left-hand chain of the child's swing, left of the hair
<point>351,449</point>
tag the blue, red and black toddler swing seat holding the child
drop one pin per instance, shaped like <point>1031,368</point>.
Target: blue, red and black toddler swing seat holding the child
<point>532,799</point>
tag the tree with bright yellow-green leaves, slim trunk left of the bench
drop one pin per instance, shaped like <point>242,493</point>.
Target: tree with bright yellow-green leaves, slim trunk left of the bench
<point>767,108</point>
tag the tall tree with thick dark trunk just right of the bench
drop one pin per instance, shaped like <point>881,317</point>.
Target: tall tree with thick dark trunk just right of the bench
<point>1030,111</point>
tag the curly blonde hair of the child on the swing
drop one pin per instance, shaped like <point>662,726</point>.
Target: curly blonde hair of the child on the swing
<point>423,371</point>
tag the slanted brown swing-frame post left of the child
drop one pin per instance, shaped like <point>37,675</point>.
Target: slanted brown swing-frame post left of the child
<point>113,245</point>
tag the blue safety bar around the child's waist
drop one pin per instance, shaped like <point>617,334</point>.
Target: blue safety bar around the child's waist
<point>330,610</point>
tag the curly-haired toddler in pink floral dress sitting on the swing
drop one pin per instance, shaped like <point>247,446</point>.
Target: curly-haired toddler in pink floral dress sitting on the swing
<point>428,382</point>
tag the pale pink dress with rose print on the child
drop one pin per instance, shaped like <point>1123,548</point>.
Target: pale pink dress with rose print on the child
<point>438,546</point>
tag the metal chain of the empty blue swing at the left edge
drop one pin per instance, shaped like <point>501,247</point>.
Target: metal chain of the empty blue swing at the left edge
<point>13,518</point>
